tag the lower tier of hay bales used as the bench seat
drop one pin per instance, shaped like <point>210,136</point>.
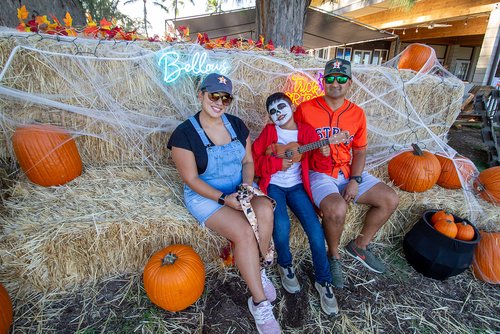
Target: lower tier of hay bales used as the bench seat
<point>110,220</point>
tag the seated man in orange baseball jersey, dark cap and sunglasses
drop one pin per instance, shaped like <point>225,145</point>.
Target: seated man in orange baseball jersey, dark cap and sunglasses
<point>346,181</point>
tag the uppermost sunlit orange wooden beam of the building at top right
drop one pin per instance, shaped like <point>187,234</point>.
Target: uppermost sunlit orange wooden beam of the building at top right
<point>426,11</point>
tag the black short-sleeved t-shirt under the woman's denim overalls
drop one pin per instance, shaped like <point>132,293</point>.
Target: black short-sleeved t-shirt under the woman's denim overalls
<point>186,137</point>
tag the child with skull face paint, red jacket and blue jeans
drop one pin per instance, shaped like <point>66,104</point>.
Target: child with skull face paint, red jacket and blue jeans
<point>287,182</point>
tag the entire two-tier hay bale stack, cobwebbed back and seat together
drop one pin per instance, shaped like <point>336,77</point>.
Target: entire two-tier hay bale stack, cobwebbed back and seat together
<point>127,203</point>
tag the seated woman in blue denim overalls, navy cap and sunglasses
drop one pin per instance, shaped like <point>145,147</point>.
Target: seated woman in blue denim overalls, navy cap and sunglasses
<point>212,152</point>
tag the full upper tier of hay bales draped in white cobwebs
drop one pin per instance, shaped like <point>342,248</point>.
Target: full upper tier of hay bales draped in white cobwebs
<point>121,111</point>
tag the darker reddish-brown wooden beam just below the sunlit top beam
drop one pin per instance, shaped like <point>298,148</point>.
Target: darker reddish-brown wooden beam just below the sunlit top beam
<point>475,26</point>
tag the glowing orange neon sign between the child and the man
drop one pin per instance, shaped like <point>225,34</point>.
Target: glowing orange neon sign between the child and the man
<point>301,88</point>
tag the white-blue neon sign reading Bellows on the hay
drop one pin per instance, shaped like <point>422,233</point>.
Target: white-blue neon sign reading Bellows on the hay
<point>197,63</point>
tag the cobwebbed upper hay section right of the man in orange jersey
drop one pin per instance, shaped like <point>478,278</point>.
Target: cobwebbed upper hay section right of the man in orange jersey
<point>403,108</point>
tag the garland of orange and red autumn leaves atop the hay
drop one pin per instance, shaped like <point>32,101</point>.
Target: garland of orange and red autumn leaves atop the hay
<point>111,31</point>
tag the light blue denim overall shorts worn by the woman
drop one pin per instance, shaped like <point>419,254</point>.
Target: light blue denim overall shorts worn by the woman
<point>223,172</point>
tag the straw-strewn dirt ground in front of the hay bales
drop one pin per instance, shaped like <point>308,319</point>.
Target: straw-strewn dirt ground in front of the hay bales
<point>398,301</point>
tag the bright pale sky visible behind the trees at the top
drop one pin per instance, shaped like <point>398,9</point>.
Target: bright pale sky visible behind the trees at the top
<point>157,16</point>
